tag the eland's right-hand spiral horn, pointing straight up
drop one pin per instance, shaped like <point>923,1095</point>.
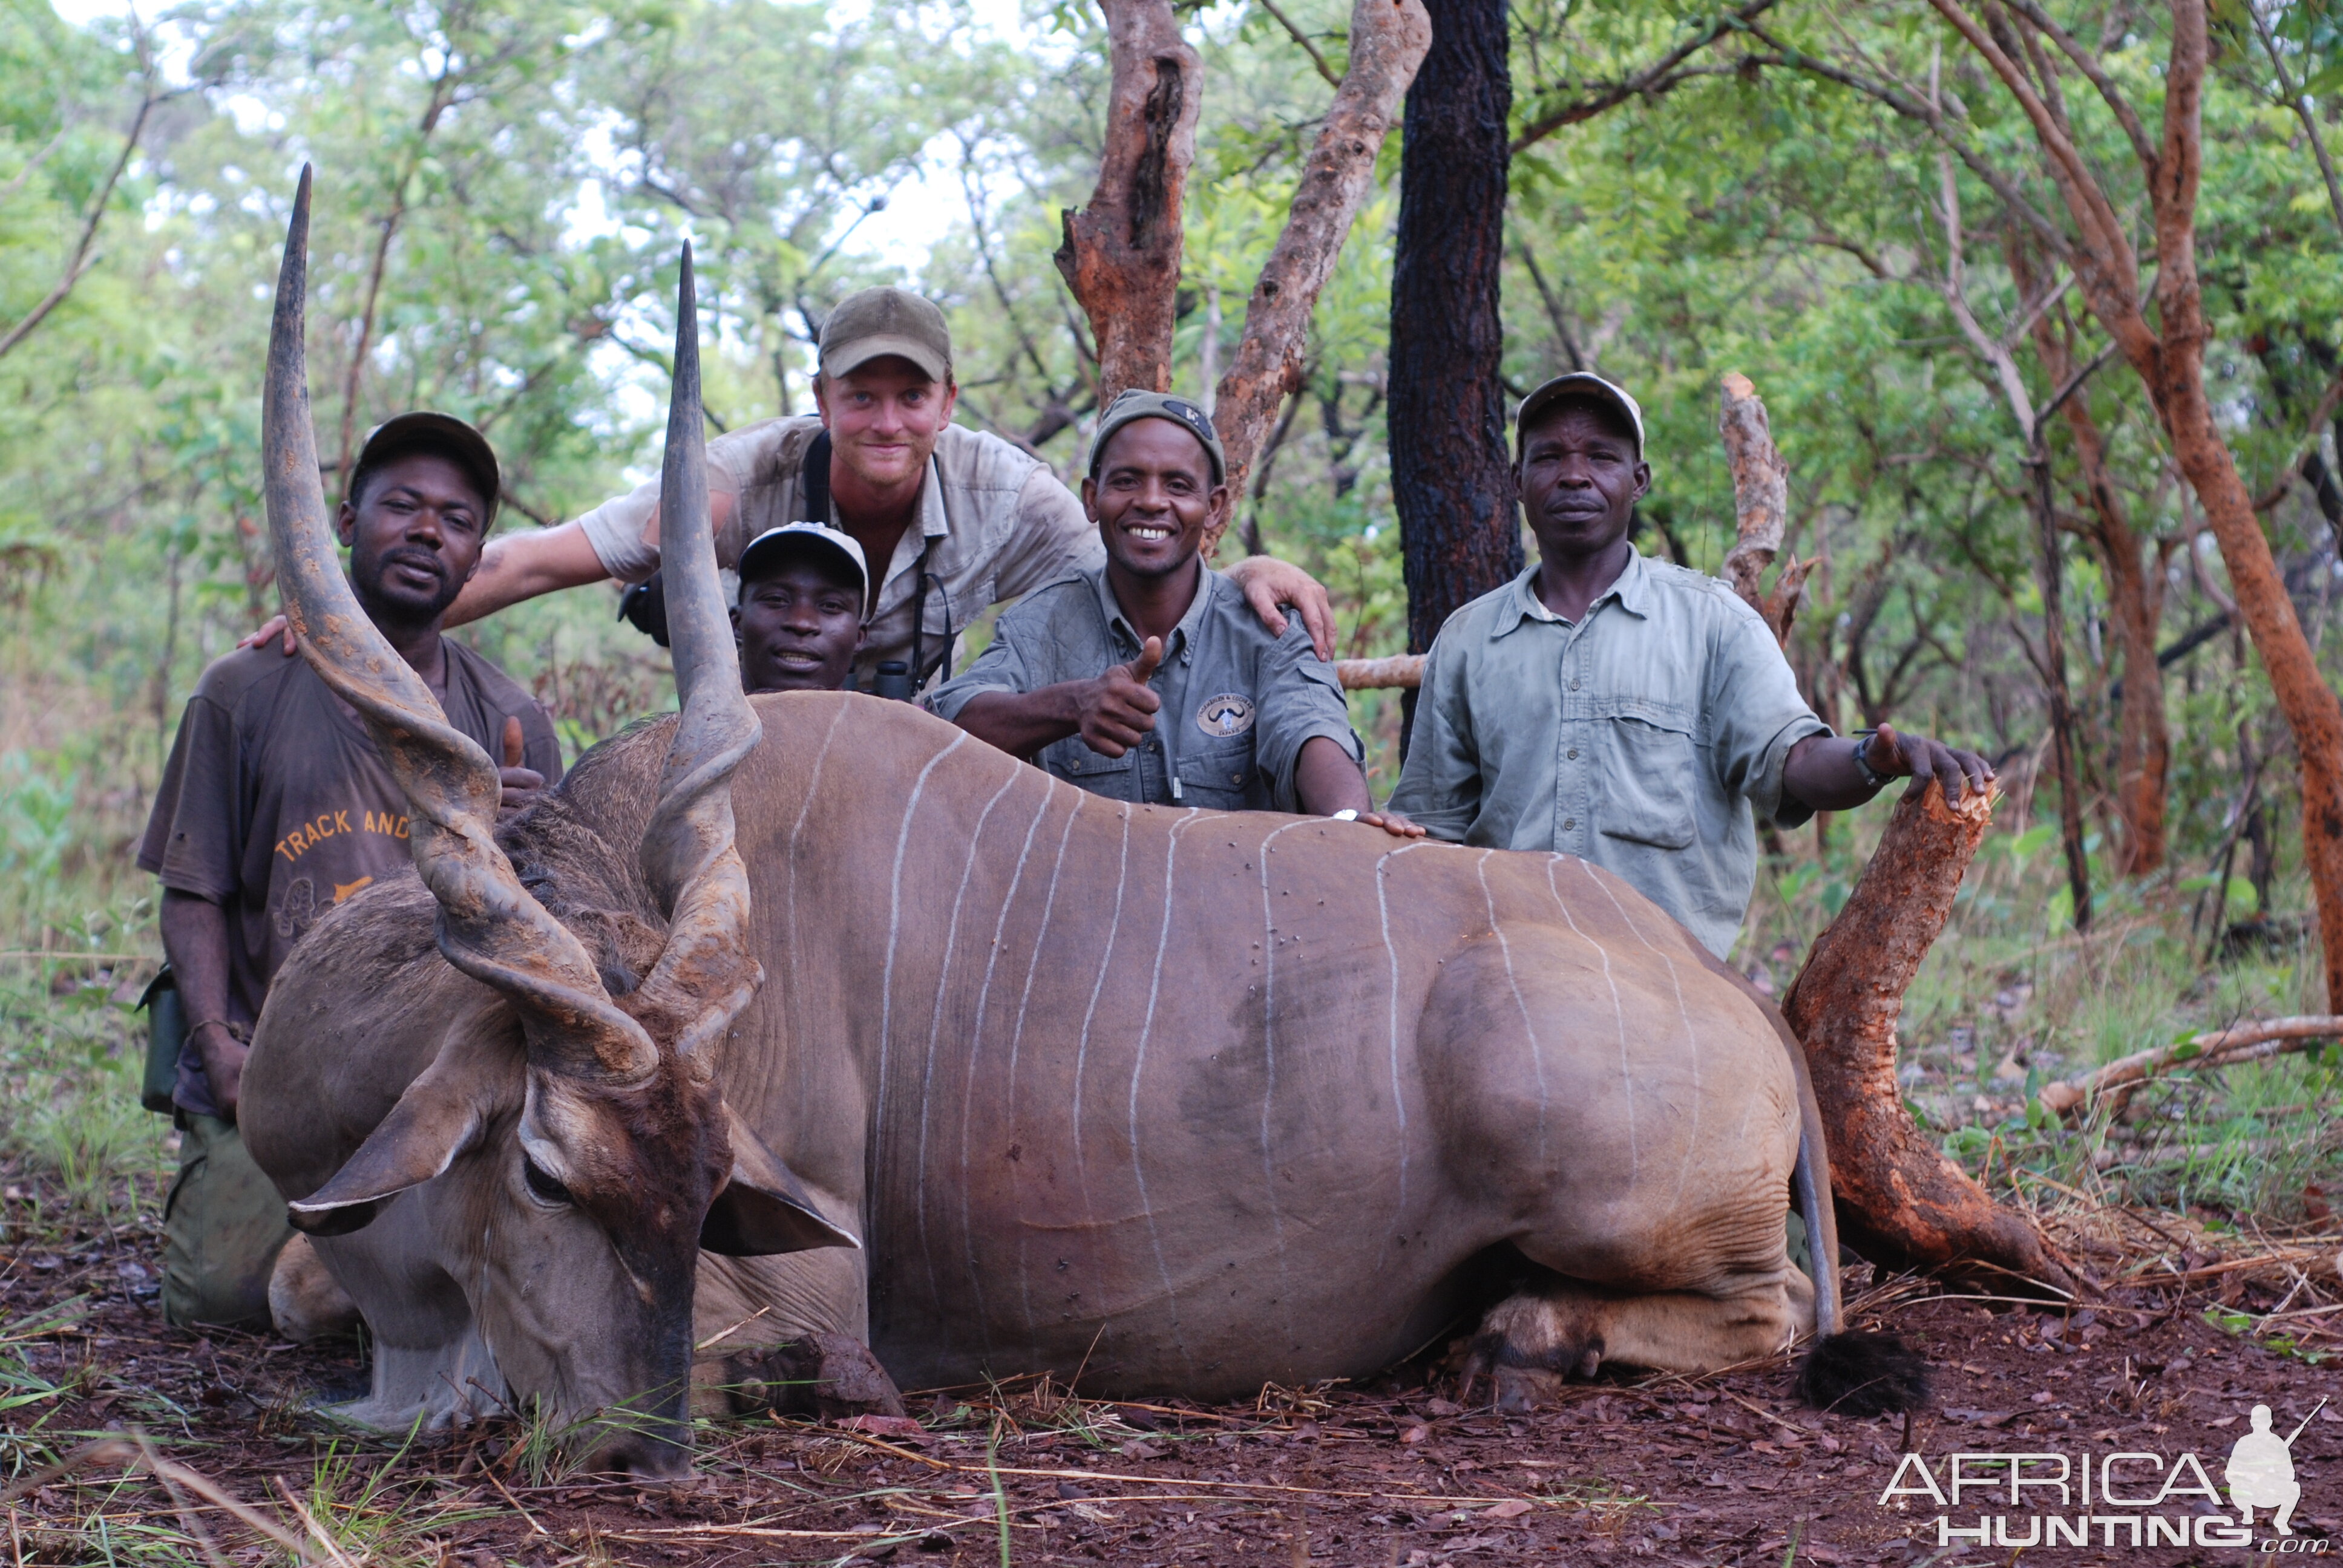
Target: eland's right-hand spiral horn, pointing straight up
<point>706,974</point>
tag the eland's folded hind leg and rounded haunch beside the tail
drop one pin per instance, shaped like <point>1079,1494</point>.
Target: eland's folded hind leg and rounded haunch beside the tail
<point>1632,1124</point>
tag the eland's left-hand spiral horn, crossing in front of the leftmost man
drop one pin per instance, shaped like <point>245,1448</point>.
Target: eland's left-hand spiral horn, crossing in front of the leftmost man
<point>489,925</point>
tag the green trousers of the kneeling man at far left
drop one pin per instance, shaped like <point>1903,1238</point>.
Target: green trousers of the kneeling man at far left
<point>224,1227</point>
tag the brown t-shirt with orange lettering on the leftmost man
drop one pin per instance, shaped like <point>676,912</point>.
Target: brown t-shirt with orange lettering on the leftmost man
<point>278,807</point>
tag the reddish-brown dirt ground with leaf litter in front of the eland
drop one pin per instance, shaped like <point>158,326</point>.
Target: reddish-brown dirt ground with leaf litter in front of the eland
<point>1714,1471</point>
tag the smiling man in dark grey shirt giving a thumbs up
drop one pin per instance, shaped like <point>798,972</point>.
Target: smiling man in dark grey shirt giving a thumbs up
<point>1079,671</point>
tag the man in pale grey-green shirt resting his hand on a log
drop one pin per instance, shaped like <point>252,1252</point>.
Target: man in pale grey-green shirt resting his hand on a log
<point>1623,709</point>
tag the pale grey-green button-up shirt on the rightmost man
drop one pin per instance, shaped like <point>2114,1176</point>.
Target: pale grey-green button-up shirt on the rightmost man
<point>1644,737</point>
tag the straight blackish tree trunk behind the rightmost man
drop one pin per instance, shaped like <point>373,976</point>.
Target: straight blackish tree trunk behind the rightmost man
<point>1451,472</point>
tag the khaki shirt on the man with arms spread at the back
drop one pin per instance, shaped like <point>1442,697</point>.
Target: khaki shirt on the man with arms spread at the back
<point>992,524</point>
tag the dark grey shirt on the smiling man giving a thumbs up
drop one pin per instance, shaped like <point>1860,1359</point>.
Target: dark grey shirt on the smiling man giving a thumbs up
<point>1238,702</point>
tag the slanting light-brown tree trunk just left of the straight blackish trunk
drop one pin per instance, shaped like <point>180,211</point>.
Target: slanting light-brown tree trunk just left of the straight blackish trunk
<point>1388,41</point>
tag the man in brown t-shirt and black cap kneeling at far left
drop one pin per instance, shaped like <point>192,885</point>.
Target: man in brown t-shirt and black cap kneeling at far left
<point>278,807</point>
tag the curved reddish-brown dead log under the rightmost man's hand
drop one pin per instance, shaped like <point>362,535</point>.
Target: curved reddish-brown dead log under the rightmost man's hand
<point>1901,1201</point>
